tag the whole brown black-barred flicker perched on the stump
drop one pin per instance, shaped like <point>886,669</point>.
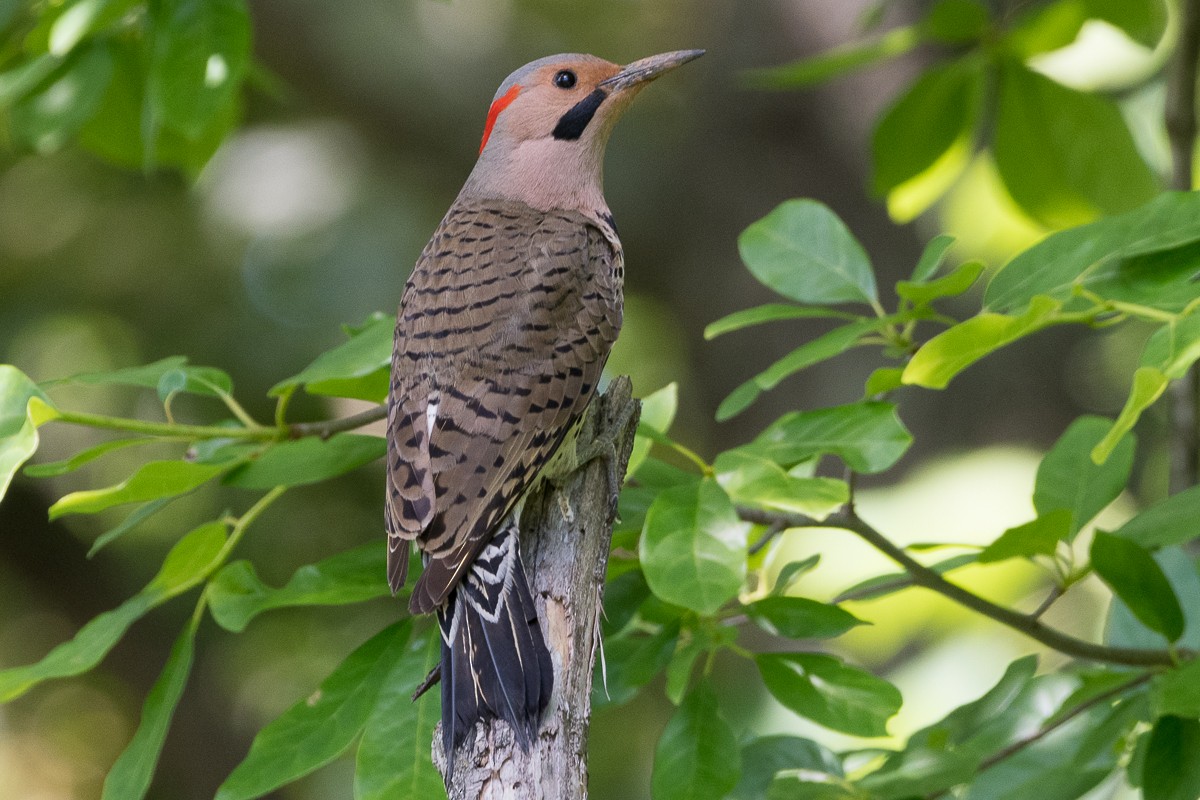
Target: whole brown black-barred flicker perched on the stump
<point>505,328</point>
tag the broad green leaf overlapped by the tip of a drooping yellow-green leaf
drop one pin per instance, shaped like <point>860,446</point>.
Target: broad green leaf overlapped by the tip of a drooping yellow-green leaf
<point>1070,479</point>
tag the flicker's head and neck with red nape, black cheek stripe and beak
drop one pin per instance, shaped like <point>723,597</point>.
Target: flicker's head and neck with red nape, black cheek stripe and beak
<point>549,123</point>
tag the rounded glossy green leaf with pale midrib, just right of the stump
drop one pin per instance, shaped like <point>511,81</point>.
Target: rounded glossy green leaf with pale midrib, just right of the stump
<point>694,548</point>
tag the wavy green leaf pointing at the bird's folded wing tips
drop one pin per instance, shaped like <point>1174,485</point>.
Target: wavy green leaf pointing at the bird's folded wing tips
<point>237,596</point>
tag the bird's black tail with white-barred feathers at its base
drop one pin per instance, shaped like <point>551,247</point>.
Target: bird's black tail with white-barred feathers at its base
<point>495,663</point>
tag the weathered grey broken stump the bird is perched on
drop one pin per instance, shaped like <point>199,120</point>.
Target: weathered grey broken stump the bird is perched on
<point>566,534</point>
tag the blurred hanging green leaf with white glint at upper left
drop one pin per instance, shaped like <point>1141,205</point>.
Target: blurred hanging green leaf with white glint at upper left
<point>200,56</point>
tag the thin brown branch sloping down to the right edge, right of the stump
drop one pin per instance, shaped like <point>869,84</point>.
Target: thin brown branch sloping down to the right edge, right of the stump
<point>923,576</point>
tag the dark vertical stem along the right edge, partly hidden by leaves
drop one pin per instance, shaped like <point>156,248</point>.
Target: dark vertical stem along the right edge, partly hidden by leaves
<point>1181,130</point>
